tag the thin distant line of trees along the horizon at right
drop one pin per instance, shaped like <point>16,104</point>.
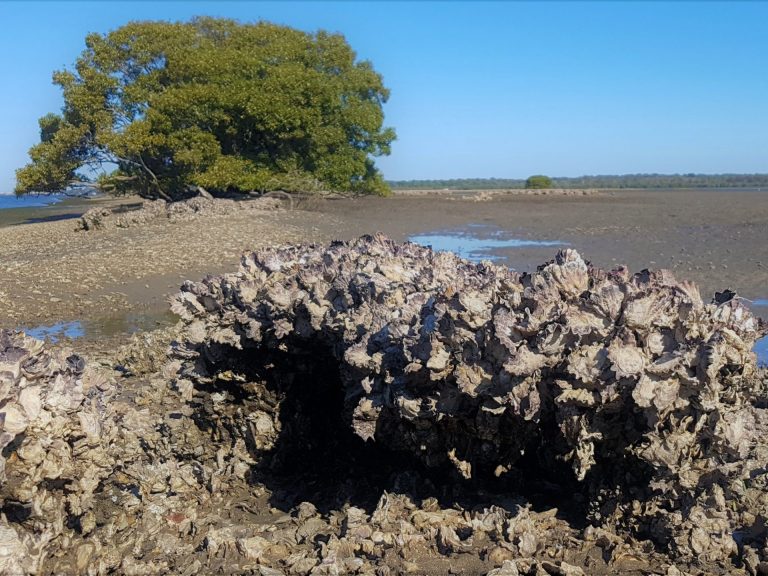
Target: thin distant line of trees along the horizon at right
<point>622,181</point>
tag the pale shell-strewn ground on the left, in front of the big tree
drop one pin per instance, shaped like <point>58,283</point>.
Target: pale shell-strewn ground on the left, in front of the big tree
<point>51,273</point>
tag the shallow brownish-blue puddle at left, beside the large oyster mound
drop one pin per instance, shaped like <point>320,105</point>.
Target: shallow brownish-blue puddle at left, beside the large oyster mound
<point>102,327</point>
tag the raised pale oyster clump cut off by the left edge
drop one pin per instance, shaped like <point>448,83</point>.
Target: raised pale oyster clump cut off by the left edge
<point>53,416</point>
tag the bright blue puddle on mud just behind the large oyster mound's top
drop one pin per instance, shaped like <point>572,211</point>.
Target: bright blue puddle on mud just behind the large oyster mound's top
<point>476,242</point>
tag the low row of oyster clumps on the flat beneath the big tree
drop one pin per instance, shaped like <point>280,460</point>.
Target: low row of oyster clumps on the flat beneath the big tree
<point>182,210</point>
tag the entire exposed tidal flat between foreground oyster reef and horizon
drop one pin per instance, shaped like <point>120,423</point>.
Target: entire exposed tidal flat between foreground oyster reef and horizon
<point>51,273</point>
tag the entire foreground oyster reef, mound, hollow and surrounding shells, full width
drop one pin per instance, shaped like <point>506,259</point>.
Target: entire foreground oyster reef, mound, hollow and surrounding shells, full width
<point>449,392</point>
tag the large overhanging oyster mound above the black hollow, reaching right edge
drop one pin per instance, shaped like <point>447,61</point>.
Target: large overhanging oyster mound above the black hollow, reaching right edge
<point>643,390</point>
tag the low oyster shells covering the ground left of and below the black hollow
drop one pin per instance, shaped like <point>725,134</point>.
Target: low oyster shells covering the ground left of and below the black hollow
<point>106,476</point>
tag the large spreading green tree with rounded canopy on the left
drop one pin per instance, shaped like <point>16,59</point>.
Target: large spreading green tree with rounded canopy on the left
<point>213,103</point>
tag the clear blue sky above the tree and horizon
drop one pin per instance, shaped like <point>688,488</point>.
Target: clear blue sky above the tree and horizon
<point>498,89</point>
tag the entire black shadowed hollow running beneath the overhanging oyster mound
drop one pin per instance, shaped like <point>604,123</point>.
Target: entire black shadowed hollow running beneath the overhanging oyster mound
<point>317,457</point>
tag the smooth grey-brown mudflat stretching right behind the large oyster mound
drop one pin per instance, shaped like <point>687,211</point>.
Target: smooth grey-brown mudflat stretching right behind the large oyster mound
<point>718,239</point>
